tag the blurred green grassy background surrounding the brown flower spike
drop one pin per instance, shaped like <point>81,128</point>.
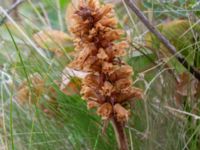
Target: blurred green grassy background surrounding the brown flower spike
<point>35,114</point>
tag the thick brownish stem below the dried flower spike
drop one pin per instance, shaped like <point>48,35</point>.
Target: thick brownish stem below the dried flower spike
<point>120,134</point>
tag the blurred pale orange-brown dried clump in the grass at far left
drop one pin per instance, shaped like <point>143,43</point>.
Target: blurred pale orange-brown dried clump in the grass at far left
<point>31,94</point>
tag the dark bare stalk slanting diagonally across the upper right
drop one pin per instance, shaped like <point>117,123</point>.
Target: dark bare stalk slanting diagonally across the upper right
<point>163,39</point>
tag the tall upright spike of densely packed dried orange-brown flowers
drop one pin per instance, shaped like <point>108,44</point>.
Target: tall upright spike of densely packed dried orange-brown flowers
<point>108,85</point>
